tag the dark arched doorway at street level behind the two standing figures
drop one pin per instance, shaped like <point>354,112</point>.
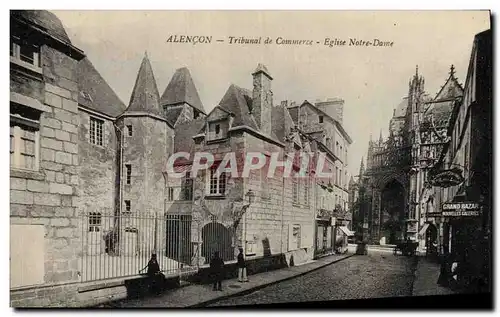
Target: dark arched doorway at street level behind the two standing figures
<point>216,237</point>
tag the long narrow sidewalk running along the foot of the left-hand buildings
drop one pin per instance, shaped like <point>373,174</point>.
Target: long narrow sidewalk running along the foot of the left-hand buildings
<point>200,295</point>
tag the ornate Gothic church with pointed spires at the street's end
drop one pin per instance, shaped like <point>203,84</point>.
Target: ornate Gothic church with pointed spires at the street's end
<point>397,167</point>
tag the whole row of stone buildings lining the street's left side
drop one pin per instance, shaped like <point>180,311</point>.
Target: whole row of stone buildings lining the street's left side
<point>91,193</point>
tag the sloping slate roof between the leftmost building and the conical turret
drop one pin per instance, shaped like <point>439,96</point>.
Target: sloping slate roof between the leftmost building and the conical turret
<point>95,93</point>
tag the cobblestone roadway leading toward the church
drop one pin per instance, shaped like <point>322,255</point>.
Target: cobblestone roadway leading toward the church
<point>376,275</point>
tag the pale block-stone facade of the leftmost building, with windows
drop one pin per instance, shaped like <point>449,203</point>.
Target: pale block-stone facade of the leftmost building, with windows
<point>45,232</point>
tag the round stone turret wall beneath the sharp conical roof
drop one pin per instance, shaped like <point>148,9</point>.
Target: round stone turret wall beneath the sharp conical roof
<point>147,152</point>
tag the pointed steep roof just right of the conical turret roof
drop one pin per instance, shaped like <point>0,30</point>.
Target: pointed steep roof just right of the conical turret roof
<point>181,89</point>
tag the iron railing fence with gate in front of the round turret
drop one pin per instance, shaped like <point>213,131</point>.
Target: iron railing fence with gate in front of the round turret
<point>120,245</point>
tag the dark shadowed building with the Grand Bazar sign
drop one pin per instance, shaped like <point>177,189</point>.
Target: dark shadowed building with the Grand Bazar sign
<point>461,179</point>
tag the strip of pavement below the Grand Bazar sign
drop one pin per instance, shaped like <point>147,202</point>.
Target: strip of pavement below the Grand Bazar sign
<point>426,276</point>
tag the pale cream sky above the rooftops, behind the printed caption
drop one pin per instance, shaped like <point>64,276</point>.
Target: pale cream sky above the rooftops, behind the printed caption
<point>371,80</point>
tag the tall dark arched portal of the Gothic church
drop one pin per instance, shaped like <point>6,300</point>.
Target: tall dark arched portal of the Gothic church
<point>392,212</point>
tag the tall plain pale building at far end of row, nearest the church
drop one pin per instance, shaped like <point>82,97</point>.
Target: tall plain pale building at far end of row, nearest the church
<point>322,122</point>
